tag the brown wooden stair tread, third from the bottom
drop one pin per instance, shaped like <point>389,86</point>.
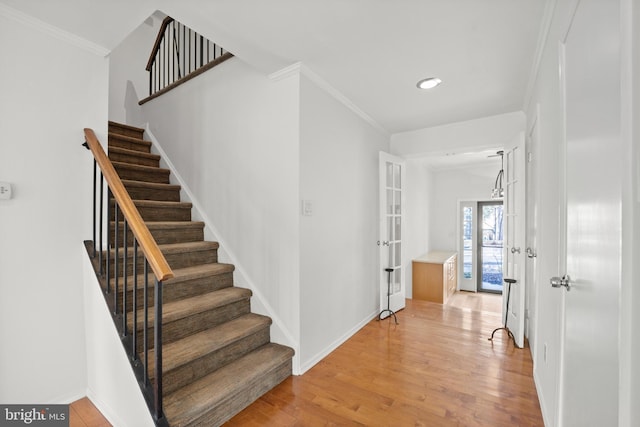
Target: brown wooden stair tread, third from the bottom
<point>175,310</point>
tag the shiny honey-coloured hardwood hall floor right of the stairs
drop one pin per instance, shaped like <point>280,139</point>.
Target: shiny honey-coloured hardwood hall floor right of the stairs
<point>436,368</point>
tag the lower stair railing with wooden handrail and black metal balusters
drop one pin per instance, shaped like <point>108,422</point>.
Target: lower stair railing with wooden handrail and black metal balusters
<point>134,229</point>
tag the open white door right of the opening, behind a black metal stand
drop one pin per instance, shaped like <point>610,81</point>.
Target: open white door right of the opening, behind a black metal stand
<point>514,235</point>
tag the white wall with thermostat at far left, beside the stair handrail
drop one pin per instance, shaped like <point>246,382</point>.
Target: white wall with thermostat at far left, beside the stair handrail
<point>52,86</point>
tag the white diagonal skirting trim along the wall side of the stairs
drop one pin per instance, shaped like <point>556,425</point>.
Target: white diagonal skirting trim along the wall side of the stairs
<point>210,230</point>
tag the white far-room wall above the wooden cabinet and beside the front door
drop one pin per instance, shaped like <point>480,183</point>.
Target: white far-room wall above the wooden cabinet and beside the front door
<point>450,186</point>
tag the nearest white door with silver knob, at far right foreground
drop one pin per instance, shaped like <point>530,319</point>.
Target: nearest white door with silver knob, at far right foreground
<point>589,378</point>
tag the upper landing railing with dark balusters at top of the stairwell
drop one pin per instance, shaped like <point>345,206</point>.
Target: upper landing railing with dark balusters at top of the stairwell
<point>178,55</point>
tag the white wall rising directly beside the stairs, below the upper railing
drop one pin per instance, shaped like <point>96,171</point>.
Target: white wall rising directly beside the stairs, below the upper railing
<point>231,136</point>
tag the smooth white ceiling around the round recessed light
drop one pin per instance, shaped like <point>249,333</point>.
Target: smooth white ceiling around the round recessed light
<point>372,51</point>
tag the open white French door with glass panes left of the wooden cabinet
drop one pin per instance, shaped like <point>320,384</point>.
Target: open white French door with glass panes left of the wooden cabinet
<point>392,181</point>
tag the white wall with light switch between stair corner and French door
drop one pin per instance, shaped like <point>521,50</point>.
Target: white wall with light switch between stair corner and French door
<point>338,253</point>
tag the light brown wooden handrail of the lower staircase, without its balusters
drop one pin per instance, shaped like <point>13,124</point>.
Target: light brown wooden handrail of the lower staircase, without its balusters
<point>147,243</point>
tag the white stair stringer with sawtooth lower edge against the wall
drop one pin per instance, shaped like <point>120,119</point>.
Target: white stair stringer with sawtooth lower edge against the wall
<point>280,334</point>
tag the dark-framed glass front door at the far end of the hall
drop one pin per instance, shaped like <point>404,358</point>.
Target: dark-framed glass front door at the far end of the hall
<point>490,246</point>
